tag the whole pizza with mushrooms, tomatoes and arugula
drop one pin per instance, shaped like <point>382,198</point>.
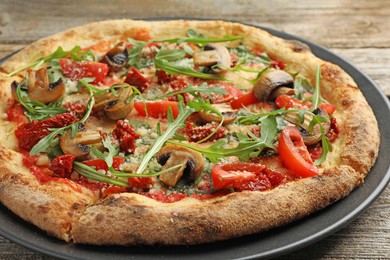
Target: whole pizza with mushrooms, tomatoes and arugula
<point>176,132</point>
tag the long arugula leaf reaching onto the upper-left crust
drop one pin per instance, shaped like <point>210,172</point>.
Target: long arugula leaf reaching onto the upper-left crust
<point>75,53</point>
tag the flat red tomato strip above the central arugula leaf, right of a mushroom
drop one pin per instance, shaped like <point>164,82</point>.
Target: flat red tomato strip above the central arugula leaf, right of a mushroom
<point>157,109</point>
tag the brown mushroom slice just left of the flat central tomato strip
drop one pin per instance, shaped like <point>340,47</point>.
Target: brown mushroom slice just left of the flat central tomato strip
<point>115,106</point>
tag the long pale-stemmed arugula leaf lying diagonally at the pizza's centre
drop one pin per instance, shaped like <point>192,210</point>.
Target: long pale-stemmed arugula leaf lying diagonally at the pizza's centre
<point>179,122</point>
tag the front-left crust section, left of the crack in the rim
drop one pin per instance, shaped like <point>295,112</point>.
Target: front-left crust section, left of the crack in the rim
<point>50,206</point>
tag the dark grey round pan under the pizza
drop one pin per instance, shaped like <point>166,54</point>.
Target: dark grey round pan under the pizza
<point>264,245</point>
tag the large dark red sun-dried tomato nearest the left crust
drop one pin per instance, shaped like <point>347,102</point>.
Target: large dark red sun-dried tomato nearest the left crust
<point>29,134</point>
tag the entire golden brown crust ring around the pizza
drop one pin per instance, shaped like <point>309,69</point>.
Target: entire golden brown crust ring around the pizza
<point>134,219</point>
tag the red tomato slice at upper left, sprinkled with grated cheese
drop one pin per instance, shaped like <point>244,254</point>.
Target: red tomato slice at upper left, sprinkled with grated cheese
<point>76,70</point>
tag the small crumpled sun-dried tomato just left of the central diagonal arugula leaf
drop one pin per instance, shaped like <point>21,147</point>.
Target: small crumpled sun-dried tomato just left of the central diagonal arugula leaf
<point>125,135</point>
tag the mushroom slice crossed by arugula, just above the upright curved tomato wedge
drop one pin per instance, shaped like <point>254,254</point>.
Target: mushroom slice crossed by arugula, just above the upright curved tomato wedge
<point>309,137</point>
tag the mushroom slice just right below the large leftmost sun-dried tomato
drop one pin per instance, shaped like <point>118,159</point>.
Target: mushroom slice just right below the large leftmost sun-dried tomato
<point>78,145</point>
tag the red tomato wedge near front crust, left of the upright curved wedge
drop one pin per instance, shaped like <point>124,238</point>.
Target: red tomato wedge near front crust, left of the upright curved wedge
<point>233,175</point>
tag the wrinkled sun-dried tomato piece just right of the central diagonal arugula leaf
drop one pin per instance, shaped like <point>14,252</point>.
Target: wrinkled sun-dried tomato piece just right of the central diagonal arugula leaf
<point>196,133</point>
